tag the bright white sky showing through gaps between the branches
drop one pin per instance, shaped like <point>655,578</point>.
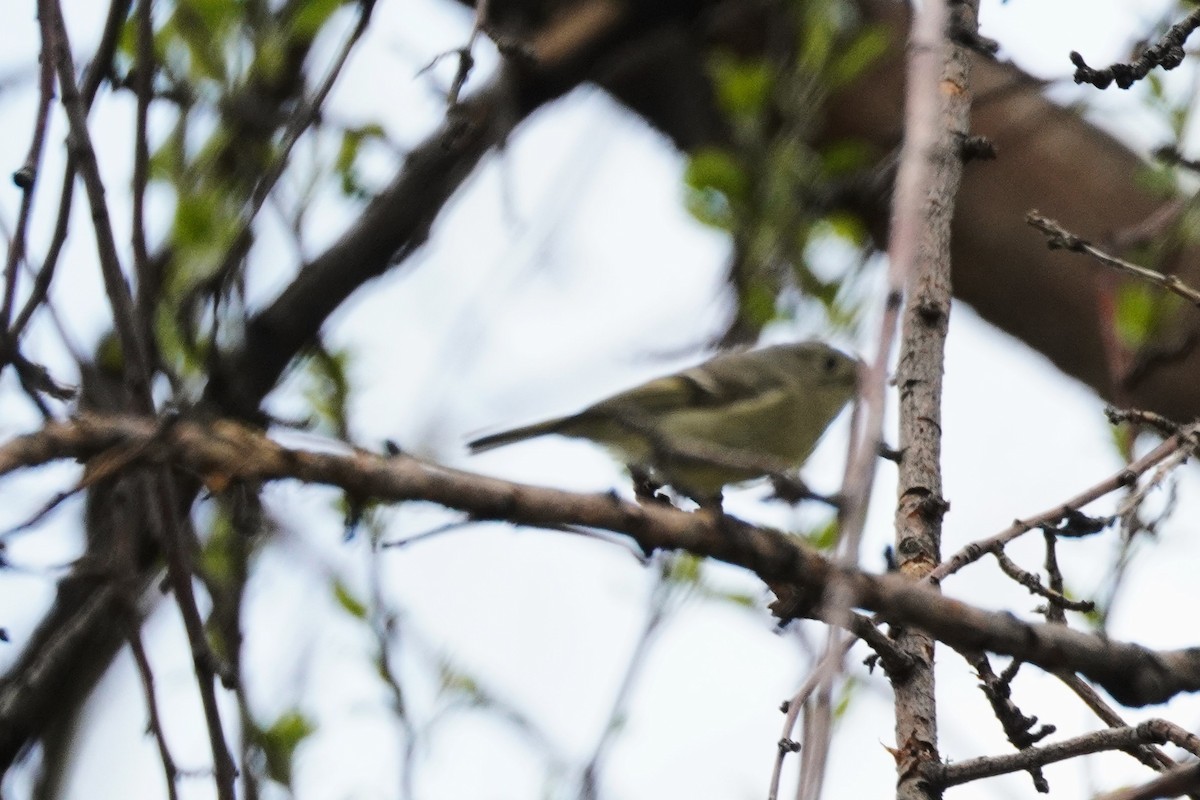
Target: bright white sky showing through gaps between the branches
<point>567,270</point>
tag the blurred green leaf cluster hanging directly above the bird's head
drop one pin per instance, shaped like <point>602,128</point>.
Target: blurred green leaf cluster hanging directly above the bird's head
<point>771,189</point>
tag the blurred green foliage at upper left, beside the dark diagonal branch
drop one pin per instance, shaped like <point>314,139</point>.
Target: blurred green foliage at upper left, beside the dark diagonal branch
<point>231,86</point>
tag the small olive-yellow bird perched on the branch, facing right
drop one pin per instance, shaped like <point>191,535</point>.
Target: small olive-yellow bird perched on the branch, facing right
<point>733,419</point>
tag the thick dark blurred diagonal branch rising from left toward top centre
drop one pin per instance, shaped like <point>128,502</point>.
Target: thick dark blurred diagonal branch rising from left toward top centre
<point>398,222</point>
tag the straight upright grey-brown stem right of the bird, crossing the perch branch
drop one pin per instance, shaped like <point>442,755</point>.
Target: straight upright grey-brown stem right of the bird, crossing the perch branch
<point>938,117</point>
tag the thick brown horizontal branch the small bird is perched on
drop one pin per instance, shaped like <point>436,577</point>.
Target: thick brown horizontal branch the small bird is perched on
<point>223,453</point>
